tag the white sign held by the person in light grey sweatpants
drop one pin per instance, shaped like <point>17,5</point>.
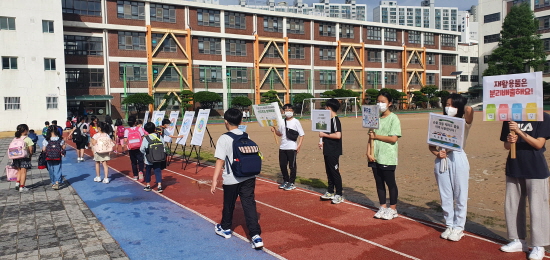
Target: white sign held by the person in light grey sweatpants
<point>446,132</point>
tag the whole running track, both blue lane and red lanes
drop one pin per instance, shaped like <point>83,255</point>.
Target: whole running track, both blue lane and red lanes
<point>295,224</point>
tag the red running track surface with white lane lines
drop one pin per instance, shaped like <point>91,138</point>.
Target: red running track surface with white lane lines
<point>297,225</point>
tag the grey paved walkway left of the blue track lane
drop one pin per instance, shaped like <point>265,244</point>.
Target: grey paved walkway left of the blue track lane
<point>47,224</point>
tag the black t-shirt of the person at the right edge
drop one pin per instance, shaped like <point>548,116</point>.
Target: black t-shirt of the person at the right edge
<point>529,163</point>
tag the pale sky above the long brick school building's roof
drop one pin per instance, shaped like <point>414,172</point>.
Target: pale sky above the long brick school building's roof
<point>371,4</point>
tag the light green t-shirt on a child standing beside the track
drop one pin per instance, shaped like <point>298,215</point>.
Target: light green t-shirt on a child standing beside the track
<point>386,153</point>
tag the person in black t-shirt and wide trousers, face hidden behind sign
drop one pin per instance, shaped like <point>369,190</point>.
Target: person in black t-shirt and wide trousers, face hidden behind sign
<point>527,178</point>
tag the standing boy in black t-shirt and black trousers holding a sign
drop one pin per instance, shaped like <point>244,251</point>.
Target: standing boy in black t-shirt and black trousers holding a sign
<point>332,149</point>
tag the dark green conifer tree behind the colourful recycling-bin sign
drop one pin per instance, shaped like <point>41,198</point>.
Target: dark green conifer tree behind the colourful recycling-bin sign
<point>519,47</point>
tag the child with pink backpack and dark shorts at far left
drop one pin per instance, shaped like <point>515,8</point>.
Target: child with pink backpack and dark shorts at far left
<point>21,165</point>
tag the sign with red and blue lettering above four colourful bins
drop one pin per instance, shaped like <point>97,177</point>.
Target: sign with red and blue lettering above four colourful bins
<point>514,97</point>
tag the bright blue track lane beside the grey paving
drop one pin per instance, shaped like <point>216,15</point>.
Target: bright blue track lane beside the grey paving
<point>146,225</point>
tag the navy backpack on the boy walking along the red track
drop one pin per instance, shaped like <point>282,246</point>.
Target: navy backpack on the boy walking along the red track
<point>247,160</point>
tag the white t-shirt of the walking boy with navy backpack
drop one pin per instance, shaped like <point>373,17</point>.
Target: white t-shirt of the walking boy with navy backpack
<point>224,148</point>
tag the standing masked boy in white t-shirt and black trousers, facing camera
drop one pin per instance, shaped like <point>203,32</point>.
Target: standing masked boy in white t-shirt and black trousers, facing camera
<point>290,146</point>
